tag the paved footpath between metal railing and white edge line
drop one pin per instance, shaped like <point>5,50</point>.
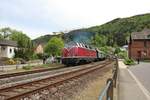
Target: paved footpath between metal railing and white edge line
<point>129,87</point>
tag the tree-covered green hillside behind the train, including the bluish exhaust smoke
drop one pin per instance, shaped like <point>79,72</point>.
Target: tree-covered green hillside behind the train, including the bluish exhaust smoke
<point>116,31</point>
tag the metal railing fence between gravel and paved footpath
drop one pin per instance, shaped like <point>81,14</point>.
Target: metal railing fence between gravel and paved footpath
<point>107,93</point>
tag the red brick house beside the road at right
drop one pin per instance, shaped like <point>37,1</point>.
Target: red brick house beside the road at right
<point>139,45</point>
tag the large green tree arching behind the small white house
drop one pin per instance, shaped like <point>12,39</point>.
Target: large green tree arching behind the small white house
<point>25,47</point>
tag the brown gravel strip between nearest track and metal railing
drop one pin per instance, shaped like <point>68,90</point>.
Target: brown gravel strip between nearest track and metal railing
<point>87,87</point>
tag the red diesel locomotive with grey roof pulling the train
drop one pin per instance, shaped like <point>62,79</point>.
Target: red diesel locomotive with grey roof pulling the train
<point>78,53</point>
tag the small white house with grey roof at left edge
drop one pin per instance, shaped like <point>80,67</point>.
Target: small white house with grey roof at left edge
<point>7,48</point>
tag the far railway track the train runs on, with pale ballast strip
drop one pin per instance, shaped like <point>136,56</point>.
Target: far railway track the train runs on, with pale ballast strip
<point>23,77</point>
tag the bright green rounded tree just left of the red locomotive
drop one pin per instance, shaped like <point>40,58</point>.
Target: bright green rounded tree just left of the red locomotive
<point>54,46</point>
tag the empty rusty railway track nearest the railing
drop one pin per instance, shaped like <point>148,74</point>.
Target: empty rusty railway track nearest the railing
<point>27,89</point>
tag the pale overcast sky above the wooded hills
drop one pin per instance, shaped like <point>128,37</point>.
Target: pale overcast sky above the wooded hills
<point>39,17</point>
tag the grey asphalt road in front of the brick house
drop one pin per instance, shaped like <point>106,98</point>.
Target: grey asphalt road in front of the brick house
<point>142,73</point>
